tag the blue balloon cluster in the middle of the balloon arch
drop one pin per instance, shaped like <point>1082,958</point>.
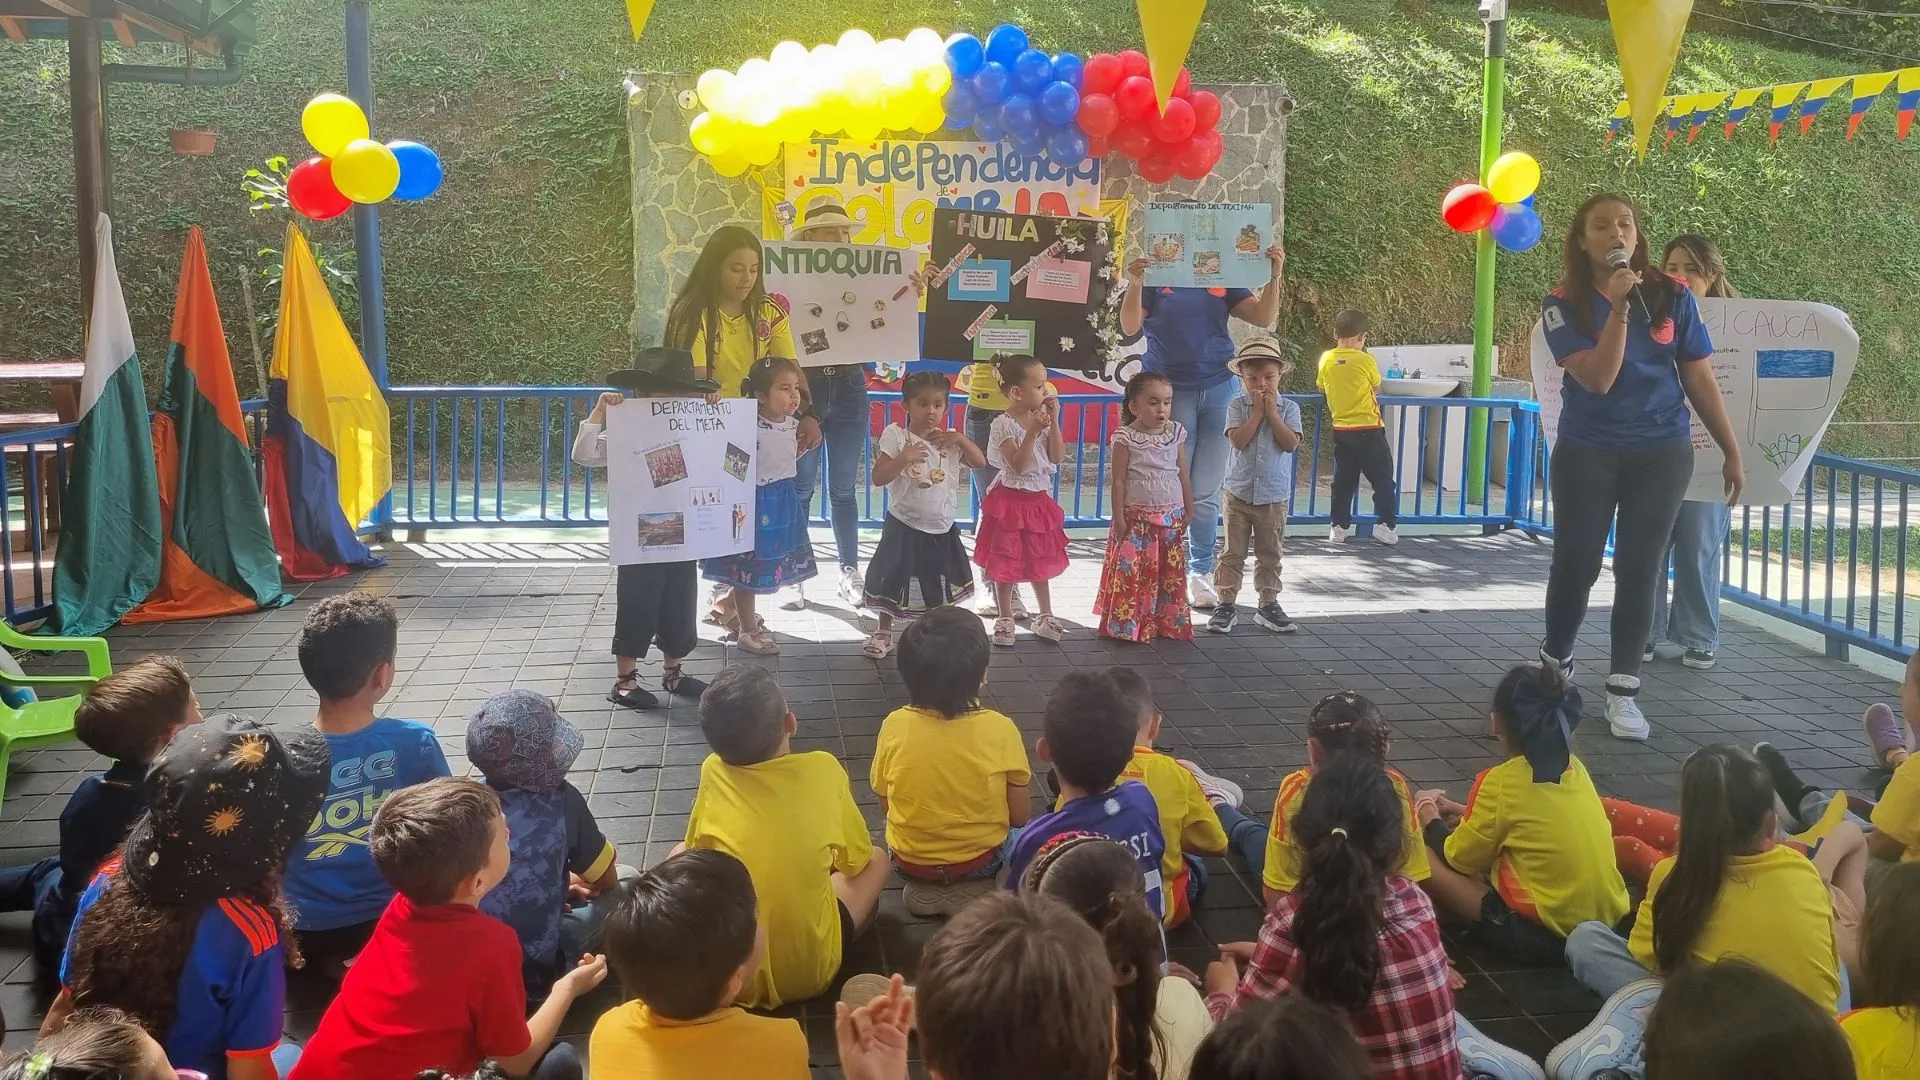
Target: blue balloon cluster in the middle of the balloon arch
<point>1009,89</point>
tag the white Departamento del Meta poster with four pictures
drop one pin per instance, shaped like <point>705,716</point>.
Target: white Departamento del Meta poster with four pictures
<point>681,479</point>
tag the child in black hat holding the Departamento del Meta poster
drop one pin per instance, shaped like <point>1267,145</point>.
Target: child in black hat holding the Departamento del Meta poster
<point>656,604</point>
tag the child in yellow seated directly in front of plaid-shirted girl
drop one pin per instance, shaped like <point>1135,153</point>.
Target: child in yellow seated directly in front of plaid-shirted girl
<point>1339,724</point>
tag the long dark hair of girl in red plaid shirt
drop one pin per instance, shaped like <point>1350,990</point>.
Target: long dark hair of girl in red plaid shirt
<point>1353,835</point>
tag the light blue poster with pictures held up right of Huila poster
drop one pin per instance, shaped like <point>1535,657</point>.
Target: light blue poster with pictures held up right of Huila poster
<point>1209,245</point>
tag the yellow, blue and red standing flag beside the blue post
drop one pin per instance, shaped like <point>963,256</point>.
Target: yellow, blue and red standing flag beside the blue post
<point>327,431</point>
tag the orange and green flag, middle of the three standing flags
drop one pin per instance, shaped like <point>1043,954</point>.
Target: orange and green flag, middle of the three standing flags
<point>218,554</point>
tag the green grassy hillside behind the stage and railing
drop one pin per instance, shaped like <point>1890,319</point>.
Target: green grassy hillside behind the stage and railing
<point>521,268</point>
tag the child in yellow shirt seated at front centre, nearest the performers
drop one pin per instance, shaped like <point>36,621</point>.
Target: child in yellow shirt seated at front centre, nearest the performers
<point>951,775</point>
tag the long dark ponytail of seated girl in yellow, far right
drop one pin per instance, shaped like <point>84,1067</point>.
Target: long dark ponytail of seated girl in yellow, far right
<point>1725,798</point>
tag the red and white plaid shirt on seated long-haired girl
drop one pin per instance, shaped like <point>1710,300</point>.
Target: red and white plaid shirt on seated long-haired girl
<point>1408,1023</point>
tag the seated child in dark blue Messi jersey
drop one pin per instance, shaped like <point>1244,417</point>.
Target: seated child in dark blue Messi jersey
<point>1088,737</point>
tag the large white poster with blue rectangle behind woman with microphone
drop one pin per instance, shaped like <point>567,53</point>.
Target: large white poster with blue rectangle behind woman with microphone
<point>1783,368</point>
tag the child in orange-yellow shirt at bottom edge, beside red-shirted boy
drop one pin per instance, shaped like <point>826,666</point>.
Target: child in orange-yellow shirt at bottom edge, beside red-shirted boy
<point>684,941</point>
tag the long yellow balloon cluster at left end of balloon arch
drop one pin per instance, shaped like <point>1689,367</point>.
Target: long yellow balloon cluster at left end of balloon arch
<point>857,87</point>
